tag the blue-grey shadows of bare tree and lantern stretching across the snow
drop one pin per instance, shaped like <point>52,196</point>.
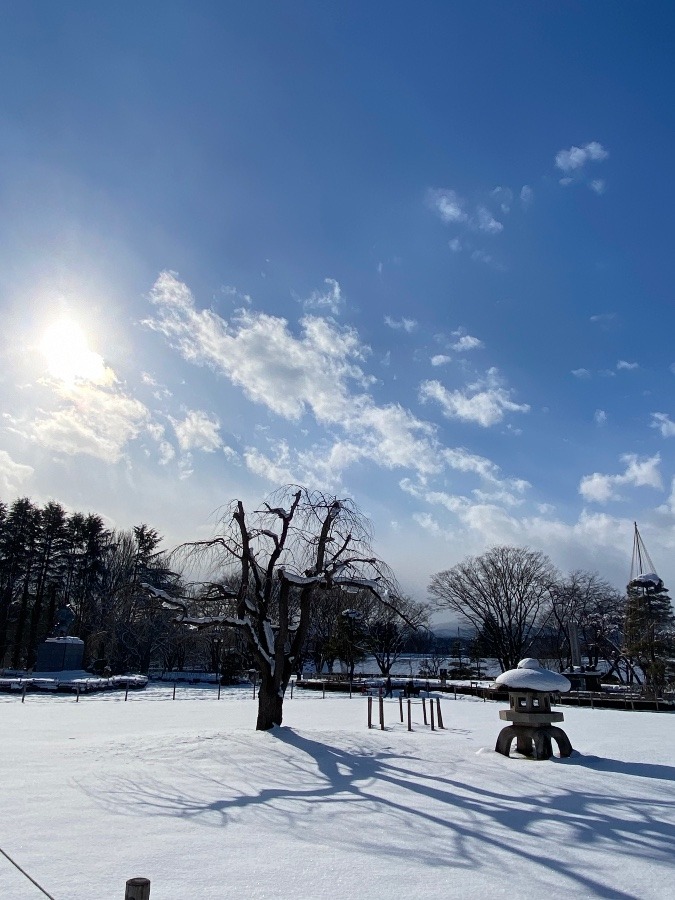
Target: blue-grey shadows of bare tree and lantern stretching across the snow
<point>443,822</point>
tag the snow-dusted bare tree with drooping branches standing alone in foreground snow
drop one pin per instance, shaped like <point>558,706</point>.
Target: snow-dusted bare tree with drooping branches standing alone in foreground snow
<point>301,542</point>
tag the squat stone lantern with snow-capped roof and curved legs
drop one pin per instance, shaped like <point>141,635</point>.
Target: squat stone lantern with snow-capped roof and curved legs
<point>530,688</point>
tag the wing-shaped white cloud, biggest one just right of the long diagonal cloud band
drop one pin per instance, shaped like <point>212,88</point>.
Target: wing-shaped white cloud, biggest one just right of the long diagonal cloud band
<point>484,402</point>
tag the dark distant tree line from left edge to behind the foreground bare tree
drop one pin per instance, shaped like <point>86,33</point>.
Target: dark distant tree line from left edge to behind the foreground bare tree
<point>51,559</point>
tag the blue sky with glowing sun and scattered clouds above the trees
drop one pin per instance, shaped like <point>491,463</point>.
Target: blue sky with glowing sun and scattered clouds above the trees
<point>416,254</point>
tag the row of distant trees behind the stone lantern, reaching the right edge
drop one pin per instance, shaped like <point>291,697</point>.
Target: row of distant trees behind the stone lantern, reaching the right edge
<point>519,605</point>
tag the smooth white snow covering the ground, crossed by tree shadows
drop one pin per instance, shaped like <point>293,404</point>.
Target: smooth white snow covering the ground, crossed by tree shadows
<point>188,794</point>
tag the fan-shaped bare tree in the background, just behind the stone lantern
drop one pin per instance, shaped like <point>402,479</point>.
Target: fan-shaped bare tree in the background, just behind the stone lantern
<point>504,594</point>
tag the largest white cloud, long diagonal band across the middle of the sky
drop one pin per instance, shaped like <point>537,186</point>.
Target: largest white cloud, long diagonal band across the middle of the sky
<point>292,376</point>
